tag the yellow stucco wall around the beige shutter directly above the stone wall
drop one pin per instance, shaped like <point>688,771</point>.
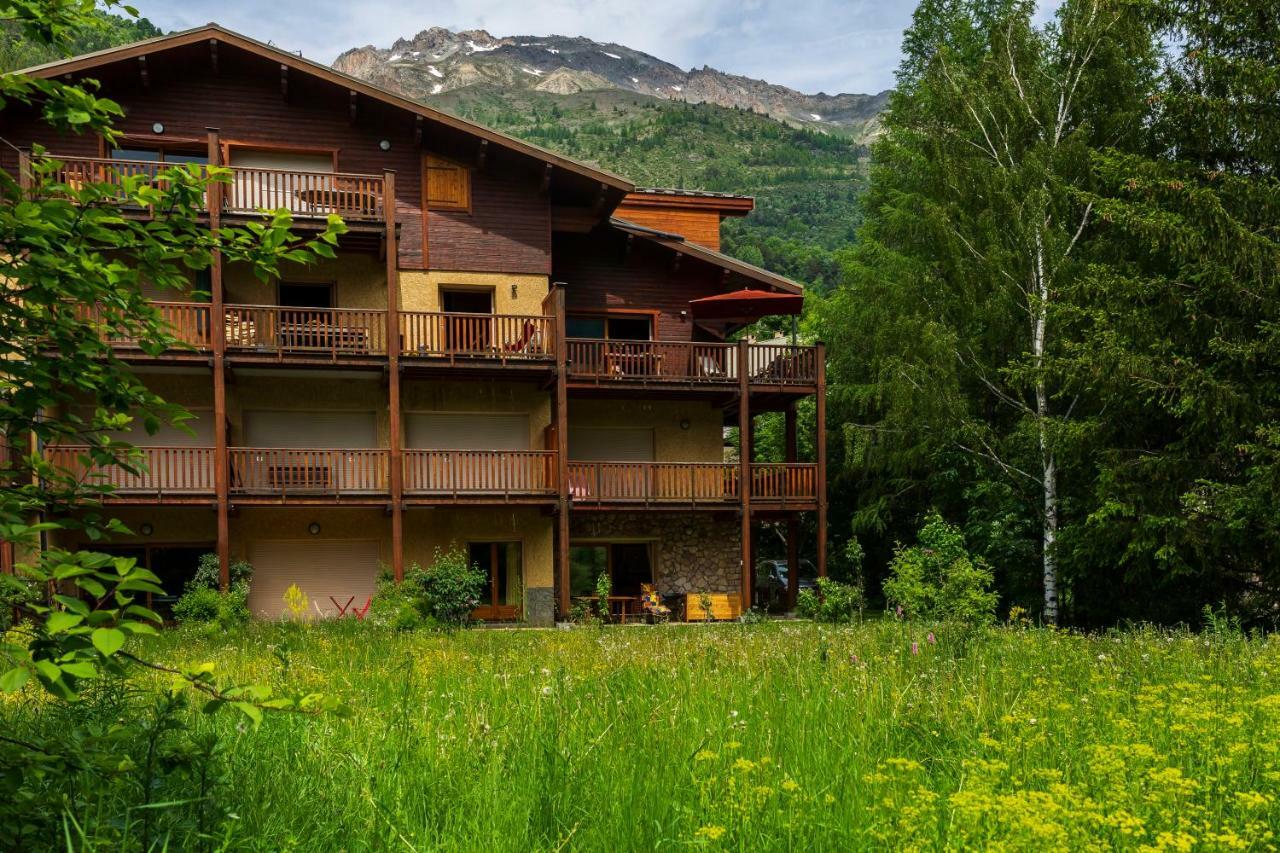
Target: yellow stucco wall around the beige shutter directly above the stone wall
<point>702,443</point>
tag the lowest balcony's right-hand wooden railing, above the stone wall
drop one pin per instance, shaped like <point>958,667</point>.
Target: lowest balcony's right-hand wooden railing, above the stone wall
<point>691,483</point>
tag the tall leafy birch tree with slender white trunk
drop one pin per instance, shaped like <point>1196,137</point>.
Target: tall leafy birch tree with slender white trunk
<point>948,334</point>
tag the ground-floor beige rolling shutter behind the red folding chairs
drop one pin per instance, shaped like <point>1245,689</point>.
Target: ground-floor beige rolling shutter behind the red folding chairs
<point>321,569</point>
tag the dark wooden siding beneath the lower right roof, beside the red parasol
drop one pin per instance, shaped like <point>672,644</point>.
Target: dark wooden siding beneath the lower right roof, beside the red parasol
<point>602,275</point>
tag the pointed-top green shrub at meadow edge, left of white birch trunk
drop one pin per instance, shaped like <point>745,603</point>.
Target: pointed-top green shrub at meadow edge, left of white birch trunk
<point>940,580</point>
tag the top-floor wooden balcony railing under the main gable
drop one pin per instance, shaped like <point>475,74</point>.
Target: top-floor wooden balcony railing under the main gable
<point>355,198</point>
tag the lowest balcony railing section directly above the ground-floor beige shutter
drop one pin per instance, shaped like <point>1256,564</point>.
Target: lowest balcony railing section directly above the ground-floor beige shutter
<point>305,472</point>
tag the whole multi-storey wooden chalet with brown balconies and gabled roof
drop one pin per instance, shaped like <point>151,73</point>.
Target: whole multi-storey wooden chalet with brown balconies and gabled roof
<point>514,353</point>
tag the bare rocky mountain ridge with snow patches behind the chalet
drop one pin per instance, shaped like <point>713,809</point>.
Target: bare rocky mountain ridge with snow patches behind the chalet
<point>440,61</point>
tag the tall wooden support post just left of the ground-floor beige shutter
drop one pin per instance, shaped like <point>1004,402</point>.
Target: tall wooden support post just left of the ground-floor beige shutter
<point>218,332</point>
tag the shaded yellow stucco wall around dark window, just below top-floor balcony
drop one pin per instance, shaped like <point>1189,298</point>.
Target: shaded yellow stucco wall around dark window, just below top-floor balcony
<point>359,280</point>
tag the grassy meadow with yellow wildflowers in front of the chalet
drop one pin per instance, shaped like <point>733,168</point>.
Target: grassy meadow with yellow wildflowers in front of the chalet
<point>785,736</point>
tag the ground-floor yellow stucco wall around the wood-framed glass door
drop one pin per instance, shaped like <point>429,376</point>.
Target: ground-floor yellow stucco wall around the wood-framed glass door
<point>427,530</point>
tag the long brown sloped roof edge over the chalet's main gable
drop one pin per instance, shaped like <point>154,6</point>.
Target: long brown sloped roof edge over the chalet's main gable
<point>213,31</point>
